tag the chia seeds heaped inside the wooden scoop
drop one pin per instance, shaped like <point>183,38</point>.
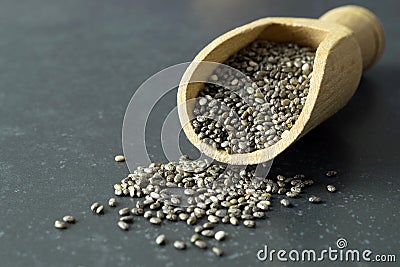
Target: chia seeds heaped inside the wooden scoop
<point>241,115</point>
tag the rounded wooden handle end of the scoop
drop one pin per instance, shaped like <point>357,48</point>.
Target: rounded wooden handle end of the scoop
<point>366,27</point>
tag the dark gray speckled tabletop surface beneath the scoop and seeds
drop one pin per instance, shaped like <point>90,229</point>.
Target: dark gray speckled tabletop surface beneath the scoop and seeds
<point>67,71</point>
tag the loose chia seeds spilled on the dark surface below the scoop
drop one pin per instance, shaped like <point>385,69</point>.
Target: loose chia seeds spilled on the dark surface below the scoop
<point>202,194</point>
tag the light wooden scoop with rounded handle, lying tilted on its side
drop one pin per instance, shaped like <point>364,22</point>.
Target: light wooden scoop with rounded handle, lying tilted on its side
<point>347,40</point>
